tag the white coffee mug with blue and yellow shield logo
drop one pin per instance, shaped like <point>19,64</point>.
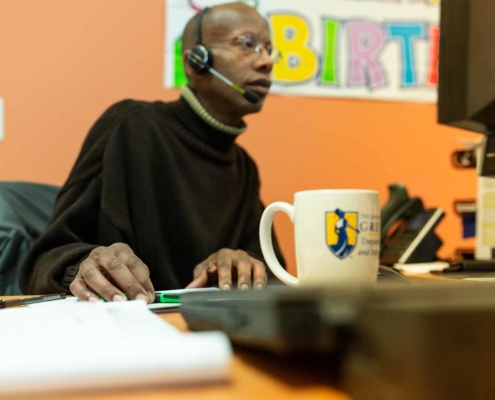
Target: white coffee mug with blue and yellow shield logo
<point>337,237</point>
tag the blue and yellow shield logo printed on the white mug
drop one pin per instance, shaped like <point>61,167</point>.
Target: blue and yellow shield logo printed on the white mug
<point>341,232</point>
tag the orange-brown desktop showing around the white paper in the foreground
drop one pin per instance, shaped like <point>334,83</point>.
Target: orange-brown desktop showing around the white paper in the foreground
<point>252,377</point>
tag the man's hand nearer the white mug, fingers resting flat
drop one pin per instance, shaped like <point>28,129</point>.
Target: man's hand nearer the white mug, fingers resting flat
<point>226,265</point>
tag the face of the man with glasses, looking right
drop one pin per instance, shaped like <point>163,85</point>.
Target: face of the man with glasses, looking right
<point>233,48</point>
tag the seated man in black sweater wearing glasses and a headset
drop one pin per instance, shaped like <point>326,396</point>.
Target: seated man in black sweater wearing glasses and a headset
<point>160,195</point>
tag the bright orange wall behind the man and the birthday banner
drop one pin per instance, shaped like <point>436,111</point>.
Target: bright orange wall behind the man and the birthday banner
<point>62,62</point>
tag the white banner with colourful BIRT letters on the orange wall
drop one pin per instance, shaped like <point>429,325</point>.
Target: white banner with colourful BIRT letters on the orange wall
<point>373,49</point>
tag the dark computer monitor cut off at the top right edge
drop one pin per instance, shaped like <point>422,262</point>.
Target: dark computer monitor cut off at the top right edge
<point>466,93</point>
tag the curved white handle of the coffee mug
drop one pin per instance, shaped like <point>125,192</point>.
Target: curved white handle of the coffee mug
<point>267,245</point>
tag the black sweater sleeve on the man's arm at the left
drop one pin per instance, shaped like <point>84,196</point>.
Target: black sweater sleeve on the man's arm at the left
<point>53,261</point>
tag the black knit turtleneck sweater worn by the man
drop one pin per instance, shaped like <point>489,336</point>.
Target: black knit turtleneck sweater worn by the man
<point>154,176</point>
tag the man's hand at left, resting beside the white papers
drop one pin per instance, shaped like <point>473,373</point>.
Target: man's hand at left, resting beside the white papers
<point>111,272</point>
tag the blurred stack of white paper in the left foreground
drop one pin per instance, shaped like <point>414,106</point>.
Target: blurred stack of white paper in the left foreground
<point>93,345</point>
